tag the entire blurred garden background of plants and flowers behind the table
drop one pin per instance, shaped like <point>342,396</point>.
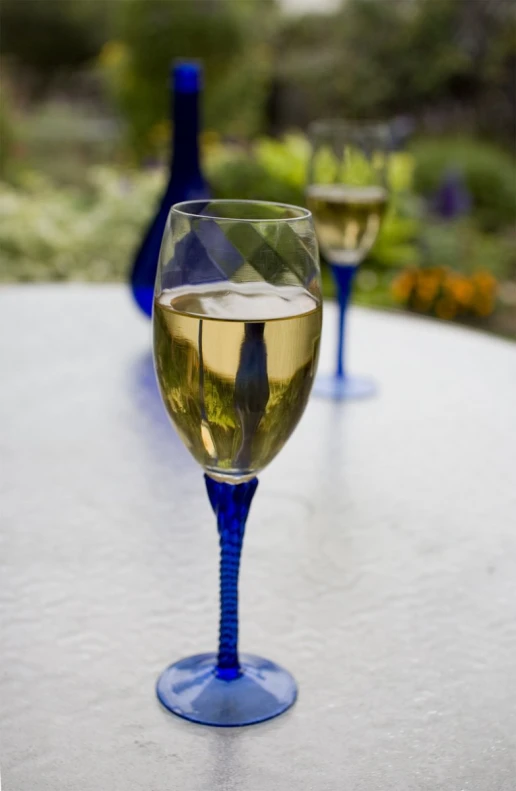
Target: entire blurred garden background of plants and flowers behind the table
<point>85,132</point>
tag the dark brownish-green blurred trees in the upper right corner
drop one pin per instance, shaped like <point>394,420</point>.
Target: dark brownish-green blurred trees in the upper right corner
<point>378,58</point>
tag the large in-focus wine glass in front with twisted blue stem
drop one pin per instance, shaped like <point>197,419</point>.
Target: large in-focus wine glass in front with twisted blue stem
<point>237,324</point>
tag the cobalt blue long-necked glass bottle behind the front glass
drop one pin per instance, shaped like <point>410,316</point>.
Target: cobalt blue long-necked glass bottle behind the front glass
<point>186,181</point>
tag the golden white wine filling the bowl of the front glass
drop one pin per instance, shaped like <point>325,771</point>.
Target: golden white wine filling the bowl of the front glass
<point>235,364</point>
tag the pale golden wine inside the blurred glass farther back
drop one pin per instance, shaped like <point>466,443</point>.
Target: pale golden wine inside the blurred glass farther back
<point>347,219</point>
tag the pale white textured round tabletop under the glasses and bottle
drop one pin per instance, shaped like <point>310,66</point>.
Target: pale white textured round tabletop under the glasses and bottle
<point>379,564</point>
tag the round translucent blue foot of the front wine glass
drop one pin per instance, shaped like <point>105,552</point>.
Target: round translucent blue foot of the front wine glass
<point>192,689</point>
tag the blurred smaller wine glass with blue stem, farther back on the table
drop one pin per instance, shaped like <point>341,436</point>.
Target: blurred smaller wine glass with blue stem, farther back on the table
<point>347,195</point>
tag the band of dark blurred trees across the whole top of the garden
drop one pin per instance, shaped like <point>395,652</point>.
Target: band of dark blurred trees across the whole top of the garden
<point>370,58</point>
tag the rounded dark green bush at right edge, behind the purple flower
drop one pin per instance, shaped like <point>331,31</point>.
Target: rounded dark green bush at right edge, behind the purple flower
<point>489,174</point>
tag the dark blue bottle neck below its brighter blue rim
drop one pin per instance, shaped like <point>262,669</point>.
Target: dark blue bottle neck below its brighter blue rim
<point>185,149</point>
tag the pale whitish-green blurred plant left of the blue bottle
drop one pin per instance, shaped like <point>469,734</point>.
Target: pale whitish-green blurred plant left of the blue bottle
<point>56,233</point>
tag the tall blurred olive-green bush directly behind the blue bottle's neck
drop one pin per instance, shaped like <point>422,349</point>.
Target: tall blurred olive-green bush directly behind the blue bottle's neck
<point>229,37</point>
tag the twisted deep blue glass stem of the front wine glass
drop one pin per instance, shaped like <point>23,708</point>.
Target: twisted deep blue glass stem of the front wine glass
<point>230,503</point>
